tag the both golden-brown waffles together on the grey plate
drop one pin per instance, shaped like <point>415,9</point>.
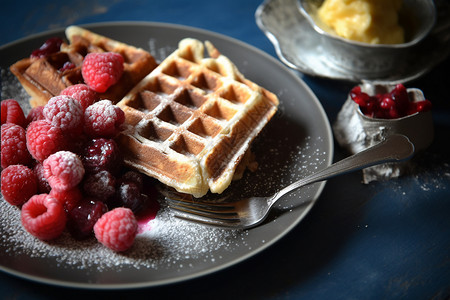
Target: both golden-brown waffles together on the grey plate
<point>189,121</point>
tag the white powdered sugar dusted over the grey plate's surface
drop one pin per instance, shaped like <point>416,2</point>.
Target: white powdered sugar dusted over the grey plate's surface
<point>166,242</point>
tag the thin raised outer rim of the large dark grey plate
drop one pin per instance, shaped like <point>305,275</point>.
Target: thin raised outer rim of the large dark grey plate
<point>223,266</point>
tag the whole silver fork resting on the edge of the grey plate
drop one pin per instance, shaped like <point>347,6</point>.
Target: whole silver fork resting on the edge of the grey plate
<point>250,212</point>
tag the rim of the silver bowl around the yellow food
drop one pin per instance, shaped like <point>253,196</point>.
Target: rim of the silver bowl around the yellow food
<point>416,40</point>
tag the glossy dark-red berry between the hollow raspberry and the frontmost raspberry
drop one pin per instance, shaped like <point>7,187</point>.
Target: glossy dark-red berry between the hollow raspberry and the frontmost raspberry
<point>82,218</point>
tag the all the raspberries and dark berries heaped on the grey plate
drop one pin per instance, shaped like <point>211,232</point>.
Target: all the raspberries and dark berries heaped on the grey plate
<point>62,167</point>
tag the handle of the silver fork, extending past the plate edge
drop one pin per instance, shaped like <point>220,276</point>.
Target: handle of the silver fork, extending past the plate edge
<point>394,148</point>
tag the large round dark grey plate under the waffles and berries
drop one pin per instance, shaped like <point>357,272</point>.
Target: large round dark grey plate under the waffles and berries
<point>296,142</point>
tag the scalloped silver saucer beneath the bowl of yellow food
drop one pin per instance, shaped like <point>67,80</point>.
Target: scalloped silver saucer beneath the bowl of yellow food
<point>299,46</point>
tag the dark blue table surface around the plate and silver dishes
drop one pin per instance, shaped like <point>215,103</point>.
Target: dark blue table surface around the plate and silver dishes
<point>385,240</point>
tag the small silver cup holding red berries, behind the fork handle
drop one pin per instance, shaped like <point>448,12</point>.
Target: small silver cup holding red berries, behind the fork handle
<point>355,131</point>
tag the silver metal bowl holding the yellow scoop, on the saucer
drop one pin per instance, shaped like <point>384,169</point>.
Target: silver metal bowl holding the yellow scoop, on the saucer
<point>374,60</point>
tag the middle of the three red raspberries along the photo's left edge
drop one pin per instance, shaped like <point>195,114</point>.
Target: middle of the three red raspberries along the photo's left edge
<point>14,145</point>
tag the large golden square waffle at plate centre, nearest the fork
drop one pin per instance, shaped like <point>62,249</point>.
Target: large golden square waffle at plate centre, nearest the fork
<point>190,122</point>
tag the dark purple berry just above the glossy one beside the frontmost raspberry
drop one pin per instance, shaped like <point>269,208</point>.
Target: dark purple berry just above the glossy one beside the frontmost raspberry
<point>101,185</point>
